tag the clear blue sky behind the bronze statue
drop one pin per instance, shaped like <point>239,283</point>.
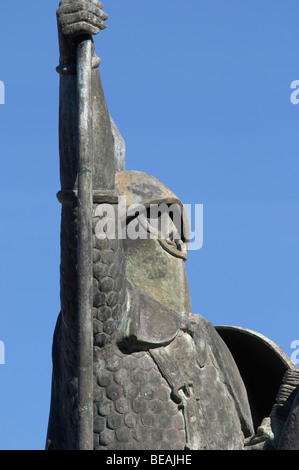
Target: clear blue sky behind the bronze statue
<point>200,90</point>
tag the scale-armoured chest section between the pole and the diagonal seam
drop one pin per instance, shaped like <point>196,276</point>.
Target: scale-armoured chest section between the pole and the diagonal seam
<point>133,406</point>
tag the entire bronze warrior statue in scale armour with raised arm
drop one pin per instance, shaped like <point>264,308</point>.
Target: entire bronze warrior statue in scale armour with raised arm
<point>133,368</point>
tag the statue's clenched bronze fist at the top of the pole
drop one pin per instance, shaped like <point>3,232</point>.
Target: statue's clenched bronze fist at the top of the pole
<point>76,18</point>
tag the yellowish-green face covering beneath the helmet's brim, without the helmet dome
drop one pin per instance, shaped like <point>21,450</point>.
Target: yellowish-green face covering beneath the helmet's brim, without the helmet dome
<point>156,265</point>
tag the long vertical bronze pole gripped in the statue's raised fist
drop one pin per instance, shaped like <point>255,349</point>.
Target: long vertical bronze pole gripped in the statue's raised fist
<point>85,298</point>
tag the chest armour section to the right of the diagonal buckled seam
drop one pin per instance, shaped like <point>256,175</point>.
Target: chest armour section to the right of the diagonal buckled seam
<point>197,380</point>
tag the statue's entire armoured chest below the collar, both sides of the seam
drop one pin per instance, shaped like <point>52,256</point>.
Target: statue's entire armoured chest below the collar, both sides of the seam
<point>162,399</point>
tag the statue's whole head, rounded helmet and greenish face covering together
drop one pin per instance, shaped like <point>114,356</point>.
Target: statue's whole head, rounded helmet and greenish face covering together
<point>155,263</point>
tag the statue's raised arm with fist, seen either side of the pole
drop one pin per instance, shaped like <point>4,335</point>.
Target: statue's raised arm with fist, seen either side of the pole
<point>76,19</point>
